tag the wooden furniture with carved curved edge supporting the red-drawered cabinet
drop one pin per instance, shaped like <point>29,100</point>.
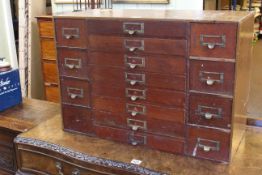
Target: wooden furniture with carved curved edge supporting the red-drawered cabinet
<point>47,149</point>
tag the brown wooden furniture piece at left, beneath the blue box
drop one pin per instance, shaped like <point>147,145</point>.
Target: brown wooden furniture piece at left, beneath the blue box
<point>17,120</point>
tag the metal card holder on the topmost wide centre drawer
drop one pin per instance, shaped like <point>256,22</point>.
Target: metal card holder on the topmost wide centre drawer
<point>132,28</point>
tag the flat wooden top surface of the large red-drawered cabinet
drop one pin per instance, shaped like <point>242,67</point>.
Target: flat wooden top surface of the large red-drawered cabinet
<point>220,16</point>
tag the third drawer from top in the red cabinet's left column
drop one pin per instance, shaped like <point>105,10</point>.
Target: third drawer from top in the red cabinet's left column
<point>75,92</point>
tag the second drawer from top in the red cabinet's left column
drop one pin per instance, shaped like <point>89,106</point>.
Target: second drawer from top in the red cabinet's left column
<point>73,62</point>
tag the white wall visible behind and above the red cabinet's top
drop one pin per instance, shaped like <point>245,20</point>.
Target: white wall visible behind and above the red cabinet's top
<point>173,4</point>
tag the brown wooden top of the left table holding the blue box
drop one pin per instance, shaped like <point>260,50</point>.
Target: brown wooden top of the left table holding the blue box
<point>27,115</point>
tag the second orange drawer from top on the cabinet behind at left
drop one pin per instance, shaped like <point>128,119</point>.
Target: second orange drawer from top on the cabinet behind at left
<point>48,49</point>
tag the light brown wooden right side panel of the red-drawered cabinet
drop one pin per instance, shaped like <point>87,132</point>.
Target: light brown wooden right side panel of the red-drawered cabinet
<point>242,80</point>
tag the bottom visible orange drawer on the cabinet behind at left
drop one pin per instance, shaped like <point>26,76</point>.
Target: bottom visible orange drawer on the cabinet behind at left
<point>52,92</point>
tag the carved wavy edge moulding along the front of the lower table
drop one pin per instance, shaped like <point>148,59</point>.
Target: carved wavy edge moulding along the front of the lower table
<point>84,157</point>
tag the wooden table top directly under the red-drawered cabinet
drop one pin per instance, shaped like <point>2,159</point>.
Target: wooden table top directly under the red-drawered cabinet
<point>247,161</point>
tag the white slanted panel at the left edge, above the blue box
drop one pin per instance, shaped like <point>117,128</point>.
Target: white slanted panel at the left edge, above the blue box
<point>7,40</point>
